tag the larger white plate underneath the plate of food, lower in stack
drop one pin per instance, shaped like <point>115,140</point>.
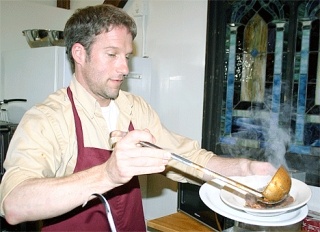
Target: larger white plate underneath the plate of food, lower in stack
<point>210,195</point>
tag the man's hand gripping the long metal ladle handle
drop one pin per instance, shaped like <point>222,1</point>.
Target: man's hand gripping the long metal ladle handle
<point>130,159</point>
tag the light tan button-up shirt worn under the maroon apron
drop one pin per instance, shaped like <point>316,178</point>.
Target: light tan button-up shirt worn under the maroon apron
<point>45,143</point>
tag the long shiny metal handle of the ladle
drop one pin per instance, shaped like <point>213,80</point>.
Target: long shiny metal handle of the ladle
<point>207,171</point>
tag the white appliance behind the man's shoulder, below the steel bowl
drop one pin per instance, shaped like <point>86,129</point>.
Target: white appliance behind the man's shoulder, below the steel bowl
<point>41,72</point>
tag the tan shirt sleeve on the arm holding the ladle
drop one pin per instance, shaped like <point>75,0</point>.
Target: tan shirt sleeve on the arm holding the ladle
<point>36,150</point>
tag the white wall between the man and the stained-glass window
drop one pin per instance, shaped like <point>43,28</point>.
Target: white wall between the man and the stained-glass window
<point>175,41</point>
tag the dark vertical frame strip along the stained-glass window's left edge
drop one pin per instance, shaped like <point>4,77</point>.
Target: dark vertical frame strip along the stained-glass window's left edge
<point>214,71</point>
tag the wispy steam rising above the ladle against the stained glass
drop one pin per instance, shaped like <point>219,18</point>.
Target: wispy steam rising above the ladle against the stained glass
<point>263,132</point>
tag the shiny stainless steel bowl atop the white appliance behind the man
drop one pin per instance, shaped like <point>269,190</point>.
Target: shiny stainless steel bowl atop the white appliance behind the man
<point>43,38</point>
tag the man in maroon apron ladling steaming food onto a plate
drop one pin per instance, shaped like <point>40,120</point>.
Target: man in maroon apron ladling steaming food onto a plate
<point>60,155</point>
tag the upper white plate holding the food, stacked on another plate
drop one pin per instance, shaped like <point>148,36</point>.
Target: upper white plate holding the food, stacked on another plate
<point>300,192</point>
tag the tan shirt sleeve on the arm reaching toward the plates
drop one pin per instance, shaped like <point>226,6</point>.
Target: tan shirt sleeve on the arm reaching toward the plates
<point>145,117</point>
